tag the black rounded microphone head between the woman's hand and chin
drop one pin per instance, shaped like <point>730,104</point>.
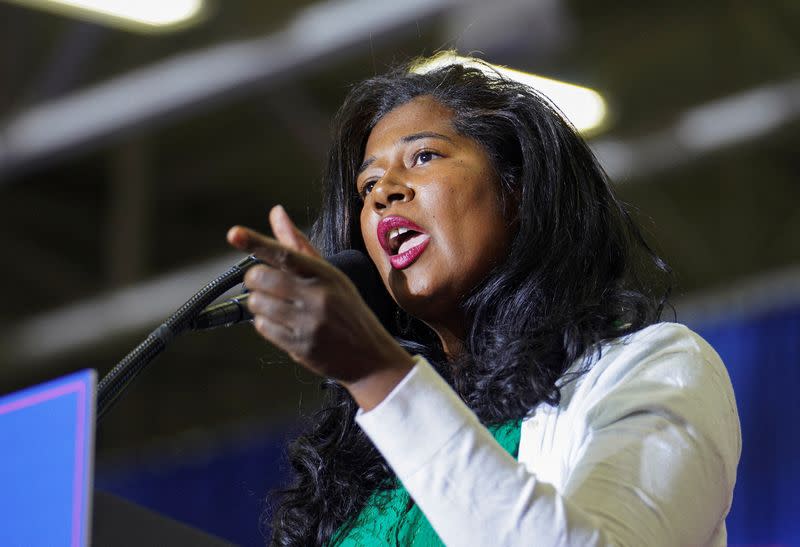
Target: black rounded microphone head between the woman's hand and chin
<point>362,272</point>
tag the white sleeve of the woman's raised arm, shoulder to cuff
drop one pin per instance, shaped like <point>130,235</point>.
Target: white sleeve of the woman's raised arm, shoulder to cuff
<point>650,457</point>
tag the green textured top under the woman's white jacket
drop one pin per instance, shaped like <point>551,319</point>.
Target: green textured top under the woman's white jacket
<point>391,518</point>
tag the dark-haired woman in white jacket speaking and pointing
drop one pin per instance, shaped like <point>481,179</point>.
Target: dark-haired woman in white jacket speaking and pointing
<point>528,395</point>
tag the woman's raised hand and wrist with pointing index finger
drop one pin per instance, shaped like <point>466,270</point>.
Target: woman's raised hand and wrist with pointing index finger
<point>311,310</point>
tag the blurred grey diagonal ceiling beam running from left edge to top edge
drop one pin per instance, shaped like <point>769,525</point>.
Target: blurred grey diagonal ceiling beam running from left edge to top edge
<point>158,94</point>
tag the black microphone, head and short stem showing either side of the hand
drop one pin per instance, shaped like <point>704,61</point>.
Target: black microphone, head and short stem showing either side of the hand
<point>354,264</point>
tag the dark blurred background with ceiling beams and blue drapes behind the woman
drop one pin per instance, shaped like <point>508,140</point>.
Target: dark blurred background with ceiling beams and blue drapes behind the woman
<point>127,151</point>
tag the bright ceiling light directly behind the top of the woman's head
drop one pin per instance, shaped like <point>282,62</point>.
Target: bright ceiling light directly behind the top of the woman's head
<point>583,107</point>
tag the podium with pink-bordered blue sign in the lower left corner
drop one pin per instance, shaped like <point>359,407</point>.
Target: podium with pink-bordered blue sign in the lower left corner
<point>46,473</point>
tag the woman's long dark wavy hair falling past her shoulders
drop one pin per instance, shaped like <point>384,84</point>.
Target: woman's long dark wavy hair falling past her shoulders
<point>579,272</point>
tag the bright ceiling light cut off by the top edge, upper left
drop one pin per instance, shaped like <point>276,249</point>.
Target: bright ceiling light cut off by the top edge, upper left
<point>142,15</point>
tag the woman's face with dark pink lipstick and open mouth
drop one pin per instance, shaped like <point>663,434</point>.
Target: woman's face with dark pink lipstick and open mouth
<point>432,220</point>
